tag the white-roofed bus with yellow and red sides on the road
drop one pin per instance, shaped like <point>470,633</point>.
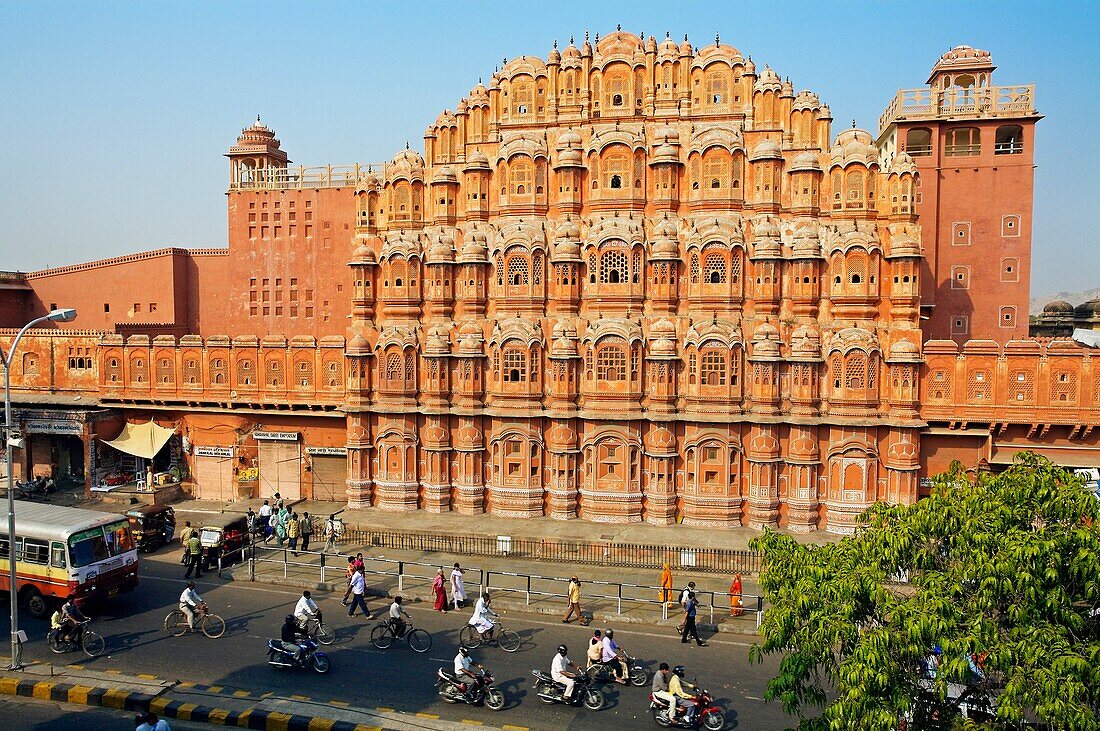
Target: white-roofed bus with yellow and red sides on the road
<point>69,551</point>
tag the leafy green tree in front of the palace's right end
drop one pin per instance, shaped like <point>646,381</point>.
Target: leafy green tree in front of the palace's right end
<point>1005,567</point>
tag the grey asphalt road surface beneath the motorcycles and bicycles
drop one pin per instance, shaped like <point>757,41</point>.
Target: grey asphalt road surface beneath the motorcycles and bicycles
<point>397,679</point>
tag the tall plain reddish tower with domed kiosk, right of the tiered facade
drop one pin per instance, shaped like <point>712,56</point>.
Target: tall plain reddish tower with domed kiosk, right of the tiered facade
<point>974,147</point>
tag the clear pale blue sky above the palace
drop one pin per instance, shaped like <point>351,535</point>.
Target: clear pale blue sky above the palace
<point>117,115</point>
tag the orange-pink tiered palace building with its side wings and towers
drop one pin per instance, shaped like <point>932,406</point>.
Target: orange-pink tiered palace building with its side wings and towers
<point>636,281</point>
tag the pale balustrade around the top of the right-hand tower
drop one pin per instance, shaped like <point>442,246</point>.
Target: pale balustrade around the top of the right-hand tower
<point>958,102</point>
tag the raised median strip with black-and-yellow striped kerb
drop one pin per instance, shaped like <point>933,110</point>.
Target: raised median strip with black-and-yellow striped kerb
<point>215,705</point>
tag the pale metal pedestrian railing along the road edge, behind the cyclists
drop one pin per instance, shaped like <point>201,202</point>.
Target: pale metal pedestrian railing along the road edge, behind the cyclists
<point>419,575</point>
